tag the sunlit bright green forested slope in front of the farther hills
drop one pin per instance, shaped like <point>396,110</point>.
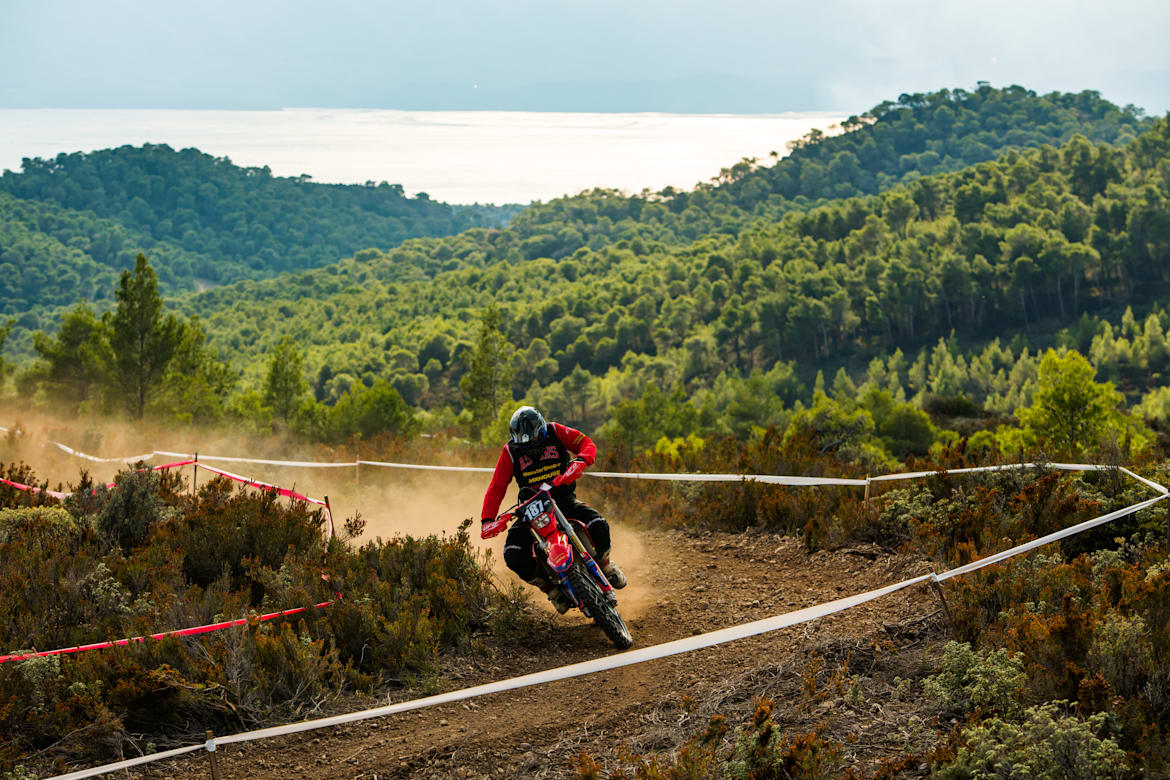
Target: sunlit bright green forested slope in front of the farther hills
<point>1024,245</point>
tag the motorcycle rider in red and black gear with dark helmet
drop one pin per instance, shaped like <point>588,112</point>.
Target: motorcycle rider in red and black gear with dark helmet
<point>541,452</point>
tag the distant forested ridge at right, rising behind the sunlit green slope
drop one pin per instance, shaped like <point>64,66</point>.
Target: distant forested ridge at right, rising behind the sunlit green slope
<point>896,142</point>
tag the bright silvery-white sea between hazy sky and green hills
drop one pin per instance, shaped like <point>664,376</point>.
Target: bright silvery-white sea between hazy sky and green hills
<point>459,157</point>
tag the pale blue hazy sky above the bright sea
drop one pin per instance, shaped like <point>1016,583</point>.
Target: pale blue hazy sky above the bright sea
<point>588,56</point>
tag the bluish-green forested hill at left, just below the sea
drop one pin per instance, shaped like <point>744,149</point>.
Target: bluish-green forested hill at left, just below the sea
<point>203,219</point>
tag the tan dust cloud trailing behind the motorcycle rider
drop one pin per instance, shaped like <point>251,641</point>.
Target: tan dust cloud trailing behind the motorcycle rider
<point>393,502</point>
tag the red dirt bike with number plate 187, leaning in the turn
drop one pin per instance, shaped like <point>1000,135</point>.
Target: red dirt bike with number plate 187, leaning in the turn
<point>567,553</point>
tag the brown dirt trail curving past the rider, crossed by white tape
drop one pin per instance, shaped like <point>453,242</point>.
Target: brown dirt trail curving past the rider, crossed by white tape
<point>698,584</point>
